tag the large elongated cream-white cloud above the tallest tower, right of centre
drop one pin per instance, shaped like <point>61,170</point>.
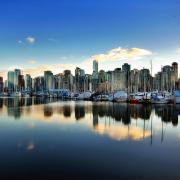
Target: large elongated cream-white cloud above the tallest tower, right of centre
<point>122,54</point>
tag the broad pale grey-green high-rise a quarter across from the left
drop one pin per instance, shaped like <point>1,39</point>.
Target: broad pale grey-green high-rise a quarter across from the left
<point>48,80</point>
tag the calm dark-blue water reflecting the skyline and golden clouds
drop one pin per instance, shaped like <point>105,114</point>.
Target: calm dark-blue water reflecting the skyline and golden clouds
<point>42,138</point>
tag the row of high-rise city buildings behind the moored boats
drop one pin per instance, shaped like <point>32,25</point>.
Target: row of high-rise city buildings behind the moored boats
<point>120,79</point>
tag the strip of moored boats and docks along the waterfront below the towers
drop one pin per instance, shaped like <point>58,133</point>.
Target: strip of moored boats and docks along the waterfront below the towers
<point>119,96</point>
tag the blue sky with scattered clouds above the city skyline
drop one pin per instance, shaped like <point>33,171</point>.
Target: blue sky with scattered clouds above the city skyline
<point>38,35</point>
